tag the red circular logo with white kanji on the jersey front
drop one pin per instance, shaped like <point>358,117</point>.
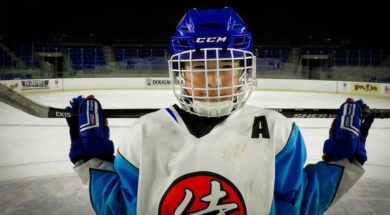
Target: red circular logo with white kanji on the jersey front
<point>202,193</point>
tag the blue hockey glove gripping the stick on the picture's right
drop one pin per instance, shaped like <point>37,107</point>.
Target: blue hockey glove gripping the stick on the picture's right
<point>348,133</point>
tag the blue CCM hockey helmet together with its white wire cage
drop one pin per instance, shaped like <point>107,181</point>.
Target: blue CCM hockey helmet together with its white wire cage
<point>212,43</point>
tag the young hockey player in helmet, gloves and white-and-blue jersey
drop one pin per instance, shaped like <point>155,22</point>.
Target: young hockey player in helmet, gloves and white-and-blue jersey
<point>210,153</point>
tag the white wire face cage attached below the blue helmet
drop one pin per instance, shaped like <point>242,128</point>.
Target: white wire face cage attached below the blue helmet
<point>212,82</point>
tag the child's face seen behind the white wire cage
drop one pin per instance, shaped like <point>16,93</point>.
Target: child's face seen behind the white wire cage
<point>220,79</point>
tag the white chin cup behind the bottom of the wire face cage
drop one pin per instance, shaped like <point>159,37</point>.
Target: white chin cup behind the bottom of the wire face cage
<point>213,109</point>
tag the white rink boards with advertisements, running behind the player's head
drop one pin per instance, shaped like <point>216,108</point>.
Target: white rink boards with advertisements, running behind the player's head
<point>43,85</point>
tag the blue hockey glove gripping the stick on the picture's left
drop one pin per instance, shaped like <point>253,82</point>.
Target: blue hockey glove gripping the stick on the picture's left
<point>89,131</point>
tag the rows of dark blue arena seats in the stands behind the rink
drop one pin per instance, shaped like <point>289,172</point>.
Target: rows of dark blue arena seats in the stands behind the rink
<point>88,57</point>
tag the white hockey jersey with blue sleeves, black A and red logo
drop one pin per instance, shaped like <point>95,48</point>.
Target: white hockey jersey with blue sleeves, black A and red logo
<point>251,163</point>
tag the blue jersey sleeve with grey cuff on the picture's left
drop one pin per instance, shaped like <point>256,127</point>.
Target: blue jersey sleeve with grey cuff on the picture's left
<point>113,190</point>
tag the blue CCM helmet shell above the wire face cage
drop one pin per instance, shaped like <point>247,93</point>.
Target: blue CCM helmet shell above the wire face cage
<point>210,28</point>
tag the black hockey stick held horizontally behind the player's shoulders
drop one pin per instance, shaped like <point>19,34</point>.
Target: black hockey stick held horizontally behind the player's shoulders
<point>26,105</point>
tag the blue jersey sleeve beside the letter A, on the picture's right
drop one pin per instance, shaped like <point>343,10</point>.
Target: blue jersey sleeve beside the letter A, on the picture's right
<point>309,190</point>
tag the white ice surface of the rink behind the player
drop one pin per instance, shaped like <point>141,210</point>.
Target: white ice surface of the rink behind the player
<point>36,176</point>
